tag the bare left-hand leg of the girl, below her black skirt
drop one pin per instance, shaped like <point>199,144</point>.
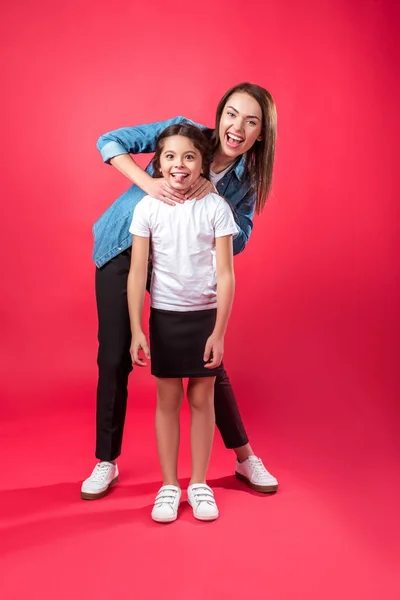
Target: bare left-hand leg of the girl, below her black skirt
<point>169,401</point>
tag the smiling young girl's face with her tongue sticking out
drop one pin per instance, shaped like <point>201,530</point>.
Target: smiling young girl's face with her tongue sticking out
<point>180,162</point>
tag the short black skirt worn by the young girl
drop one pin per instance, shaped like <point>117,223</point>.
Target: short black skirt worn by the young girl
<point>178,340</point>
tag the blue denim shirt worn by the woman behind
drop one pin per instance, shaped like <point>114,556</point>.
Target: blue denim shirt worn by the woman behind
<point>111,230</point>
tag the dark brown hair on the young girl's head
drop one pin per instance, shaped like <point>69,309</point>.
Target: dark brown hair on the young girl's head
<point>195,135</point>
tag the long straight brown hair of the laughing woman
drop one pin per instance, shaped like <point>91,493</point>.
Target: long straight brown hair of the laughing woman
<point>260,158</point>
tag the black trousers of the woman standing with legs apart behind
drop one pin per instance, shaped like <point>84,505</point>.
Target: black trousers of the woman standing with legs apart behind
<point>114,363</point>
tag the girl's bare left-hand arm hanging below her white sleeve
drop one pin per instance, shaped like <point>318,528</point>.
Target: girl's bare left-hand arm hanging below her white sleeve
<point>136,289</point>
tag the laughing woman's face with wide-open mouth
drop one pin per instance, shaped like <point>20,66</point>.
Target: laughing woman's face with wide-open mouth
<point>240,125</point>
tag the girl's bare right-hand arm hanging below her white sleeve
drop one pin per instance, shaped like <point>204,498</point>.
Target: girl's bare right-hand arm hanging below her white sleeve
<point>225,294</point>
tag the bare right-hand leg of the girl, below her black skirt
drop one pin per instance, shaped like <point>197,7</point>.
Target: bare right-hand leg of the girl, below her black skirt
<point>201,401</point>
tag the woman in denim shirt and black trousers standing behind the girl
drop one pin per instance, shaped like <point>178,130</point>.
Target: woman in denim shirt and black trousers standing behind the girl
<point>243,144</point>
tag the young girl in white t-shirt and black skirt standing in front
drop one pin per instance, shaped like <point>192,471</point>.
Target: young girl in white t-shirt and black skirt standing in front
<point>192,257</point>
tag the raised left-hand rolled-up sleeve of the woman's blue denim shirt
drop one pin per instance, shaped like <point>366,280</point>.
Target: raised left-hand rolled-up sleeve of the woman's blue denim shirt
<point>140,139</point>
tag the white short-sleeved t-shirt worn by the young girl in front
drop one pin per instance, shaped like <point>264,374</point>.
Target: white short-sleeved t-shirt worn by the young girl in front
<point>183,249</point>
